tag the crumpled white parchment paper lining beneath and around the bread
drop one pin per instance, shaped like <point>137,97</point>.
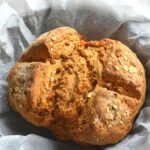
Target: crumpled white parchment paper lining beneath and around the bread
<point>21,21</point>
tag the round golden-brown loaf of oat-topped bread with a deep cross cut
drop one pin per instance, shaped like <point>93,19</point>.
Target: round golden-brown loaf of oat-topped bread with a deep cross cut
<point>85,91</point>
